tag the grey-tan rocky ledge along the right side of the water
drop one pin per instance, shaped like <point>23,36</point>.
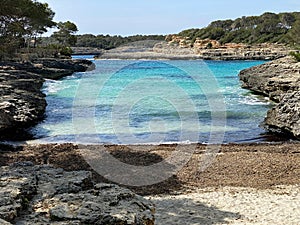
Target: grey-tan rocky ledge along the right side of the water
<point>280,81</point>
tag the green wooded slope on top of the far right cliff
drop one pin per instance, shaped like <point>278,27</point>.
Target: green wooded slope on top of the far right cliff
<point>269,27</point>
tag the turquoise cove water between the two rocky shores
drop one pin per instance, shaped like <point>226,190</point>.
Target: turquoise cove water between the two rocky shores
<point>132,102</point>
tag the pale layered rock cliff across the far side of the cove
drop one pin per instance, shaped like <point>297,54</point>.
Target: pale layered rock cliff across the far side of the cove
<point>176,47</point>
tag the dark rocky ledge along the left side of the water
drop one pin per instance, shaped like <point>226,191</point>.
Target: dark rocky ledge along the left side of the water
<point>22,104</point>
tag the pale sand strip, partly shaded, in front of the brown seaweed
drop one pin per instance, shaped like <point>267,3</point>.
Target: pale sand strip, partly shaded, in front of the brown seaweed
<point>229,205</point>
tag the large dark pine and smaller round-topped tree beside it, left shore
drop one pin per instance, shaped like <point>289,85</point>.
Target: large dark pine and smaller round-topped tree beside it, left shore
<point>23,21</point>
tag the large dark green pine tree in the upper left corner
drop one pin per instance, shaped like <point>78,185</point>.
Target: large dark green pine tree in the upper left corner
<point>20,20</point>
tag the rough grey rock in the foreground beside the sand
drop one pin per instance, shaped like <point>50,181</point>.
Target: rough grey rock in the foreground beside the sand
<point>45,195</point>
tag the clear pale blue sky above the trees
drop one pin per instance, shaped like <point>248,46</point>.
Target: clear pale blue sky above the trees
<point>130,17</point>
